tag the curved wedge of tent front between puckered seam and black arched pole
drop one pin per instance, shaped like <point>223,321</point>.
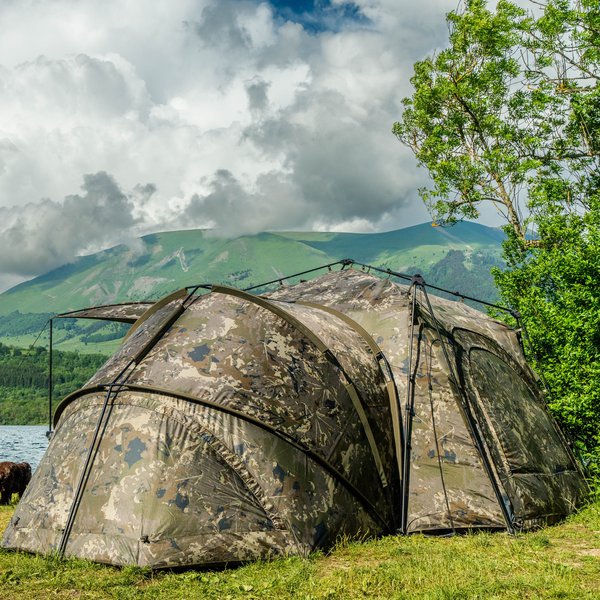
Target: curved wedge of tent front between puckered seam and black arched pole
<point>296,492</point>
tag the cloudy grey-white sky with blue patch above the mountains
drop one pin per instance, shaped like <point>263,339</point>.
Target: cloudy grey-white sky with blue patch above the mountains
<point>124,117</point>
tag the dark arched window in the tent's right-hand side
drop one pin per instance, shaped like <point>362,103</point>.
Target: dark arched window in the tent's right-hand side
<point>527,436</point>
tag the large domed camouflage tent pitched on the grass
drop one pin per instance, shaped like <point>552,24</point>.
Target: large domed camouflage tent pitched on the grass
<point>231,427</point>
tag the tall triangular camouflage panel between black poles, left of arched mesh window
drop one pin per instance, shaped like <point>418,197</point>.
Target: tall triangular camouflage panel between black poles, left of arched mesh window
<point>449,487</point>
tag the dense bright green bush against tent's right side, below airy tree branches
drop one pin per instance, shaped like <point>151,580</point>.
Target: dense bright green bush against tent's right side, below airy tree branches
<point>556,290</point>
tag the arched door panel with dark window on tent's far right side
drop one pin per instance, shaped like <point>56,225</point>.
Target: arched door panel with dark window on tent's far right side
<point>521,437</point>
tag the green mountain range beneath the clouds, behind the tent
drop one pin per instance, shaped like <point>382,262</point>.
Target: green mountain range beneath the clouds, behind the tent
<point>458,258</point>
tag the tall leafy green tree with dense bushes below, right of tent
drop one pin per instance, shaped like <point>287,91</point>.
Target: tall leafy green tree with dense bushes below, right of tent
<point>509,115</point>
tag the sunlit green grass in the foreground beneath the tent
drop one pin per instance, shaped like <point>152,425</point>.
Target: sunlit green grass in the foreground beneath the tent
<point>556,562</point>
